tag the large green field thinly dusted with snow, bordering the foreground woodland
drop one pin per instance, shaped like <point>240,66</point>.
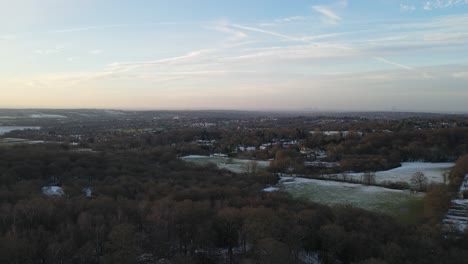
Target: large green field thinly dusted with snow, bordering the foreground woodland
<point>394,202</point>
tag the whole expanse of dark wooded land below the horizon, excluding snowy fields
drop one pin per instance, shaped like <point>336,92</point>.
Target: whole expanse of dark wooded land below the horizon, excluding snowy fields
<point>149,206</point>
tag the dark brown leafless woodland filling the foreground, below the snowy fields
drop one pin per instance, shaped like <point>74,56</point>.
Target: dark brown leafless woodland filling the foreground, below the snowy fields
<point>150,207</point>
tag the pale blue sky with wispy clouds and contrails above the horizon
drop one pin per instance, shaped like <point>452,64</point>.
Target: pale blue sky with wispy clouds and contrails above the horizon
<point>355,55</point>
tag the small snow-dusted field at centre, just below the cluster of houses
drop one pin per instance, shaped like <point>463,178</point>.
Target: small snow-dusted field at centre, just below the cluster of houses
<point>231,164</point>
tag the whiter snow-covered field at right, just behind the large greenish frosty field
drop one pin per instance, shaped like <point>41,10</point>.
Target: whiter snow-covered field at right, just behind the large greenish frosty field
<point>433,171</point>
